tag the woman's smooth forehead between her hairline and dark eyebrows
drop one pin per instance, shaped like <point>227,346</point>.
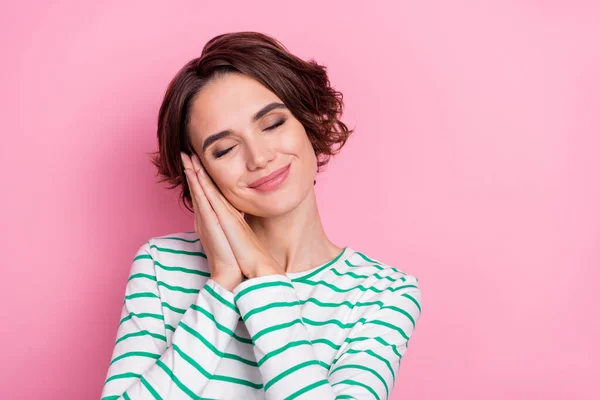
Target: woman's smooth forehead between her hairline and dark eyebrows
<point>228,102</point>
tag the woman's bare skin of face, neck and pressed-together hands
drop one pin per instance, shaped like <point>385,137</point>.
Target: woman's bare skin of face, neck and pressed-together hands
<point>280,231</point>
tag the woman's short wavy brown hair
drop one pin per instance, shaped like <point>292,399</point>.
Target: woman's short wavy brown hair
<point>303,86</point>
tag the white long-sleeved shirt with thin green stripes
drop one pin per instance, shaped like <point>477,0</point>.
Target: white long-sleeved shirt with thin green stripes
<point>336,331</point>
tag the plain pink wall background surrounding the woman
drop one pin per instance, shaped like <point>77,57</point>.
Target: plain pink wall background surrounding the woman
<point>474,166</point>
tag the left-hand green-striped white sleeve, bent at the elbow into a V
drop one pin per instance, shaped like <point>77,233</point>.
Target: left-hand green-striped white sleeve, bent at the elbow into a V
<point>143,365</point>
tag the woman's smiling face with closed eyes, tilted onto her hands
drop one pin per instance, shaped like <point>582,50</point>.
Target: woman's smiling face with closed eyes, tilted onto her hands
<point>239,141</point>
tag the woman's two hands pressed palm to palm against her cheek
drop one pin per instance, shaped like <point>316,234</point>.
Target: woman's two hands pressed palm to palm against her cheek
<point>224,228</point>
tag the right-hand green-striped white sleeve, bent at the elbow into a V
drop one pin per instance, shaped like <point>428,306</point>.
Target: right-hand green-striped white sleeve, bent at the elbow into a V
<point>366,363</point>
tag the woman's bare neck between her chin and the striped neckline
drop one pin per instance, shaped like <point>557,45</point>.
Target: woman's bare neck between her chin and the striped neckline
<point>296,240</point>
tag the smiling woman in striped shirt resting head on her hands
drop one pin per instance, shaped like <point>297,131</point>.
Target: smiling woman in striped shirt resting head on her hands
<point>257,302</point>
